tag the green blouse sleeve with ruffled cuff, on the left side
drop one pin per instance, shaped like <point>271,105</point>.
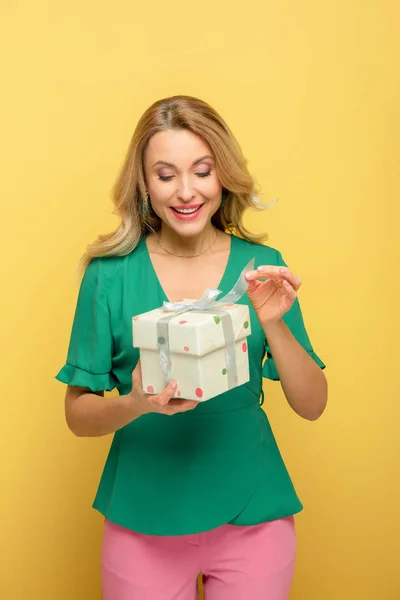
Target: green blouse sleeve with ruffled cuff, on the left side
<point>89,357</point>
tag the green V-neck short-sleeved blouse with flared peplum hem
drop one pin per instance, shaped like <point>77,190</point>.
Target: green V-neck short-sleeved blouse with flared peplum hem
<point>193,471</point>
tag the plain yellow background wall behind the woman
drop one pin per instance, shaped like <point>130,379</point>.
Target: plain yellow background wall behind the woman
<point>311,89</point>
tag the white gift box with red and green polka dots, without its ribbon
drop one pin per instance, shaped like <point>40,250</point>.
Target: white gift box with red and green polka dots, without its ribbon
<point>197,350</point>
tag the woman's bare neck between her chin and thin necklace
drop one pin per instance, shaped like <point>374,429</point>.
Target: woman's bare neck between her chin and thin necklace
<point>187,246</point>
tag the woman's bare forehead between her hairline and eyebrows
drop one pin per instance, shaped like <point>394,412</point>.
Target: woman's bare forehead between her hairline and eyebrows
<point>178,146</point>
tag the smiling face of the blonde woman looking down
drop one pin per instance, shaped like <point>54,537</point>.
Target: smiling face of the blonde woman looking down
<point>182,182</point>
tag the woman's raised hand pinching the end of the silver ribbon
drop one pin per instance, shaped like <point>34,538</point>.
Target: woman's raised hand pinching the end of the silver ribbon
<point>274,295</point>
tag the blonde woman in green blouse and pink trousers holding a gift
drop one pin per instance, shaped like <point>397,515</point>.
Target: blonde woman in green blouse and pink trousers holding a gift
<point>188,487</point>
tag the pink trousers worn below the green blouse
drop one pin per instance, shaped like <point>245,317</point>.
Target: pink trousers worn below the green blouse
<point>237,563</point>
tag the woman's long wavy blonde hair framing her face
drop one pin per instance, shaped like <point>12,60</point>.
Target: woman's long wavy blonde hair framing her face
<point>129,192</point>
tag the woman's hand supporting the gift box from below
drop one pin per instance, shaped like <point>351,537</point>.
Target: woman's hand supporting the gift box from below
<point>162,403</point>
